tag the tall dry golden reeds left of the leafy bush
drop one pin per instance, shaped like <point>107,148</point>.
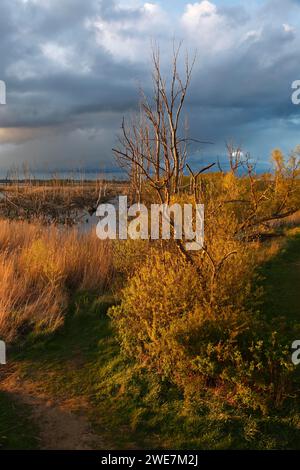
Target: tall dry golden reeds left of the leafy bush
<point>40,268</point>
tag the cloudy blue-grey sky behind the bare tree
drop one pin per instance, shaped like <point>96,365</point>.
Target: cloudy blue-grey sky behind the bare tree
<point>73,69</point>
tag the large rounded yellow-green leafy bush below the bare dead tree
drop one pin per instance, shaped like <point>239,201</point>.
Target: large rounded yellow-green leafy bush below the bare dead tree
<point>166,323</point>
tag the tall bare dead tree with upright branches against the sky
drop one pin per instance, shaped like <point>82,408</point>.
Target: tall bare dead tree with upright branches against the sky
<point>153,148</point>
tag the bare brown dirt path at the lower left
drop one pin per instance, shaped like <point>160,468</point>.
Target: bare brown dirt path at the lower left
<point>63,426</point>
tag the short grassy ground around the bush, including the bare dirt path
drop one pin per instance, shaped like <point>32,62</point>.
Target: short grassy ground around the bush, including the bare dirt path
<point>82,395</point>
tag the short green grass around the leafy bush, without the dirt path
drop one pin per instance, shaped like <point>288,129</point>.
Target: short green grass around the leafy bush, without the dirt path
<point>133,409</point>
